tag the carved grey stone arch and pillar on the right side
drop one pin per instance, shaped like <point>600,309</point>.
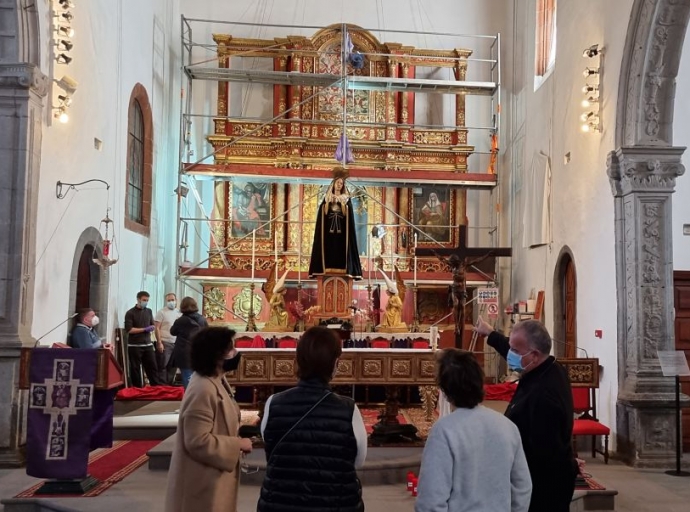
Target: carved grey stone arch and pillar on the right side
<point>642,172</point>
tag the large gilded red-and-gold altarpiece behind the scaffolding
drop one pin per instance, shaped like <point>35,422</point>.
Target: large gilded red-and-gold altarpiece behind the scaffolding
<point>270,175</point>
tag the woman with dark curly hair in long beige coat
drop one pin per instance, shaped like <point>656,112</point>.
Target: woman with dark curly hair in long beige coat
<point>205,465</point>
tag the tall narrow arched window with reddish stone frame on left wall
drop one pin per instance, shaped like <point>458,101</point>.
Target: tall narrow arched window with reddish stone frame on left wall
<point>139,162</point>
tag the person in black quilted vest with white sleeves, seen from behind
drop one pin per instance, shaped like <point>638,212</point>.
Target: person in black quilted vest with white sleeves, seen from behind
<point>314,438</point>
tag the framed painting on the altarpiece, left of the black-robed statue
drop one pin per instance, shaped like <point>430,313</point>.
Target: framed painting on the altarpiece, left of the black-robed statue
<point>251,208</point>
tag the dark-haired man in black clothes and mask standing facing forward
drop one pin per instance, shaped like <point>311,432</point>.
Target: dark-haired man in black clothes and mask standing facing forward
<point>139,326</point>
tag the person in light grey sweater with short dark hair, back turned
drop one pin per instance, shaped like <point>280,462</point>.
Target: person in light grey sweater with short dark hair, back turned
<point>473,458</point>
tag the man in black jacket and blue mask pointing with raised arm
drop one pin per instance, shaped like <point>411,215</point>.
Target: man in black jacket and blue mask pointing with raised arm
<point>542,409</point>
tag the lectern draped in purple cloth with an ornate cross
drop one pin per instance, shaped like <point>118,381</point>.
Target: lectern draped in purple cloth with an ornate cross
<point>56,402</point>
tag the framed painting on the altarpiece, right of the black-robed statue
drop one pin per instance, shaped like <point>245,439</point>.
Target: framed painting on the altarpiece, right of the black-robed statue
<point>432,211</point>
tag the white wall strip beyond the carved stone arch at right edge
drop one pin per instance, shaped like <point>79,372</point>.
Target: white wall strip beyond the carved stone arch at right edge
<point>681,137</point>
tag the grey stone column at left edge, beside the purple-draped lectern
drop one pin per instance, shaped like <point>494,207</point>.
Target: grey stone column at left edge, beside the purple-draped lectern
<point>22,87</point>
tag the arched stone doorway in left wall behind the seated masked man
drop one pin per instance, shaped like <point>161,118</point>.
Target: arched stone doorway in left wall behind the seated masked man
<point>98,278</point>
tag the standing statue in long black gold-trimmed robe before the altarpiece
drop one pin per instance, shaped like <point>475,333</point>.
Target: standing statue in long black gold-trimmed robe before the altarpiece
<point>334,251</point>
